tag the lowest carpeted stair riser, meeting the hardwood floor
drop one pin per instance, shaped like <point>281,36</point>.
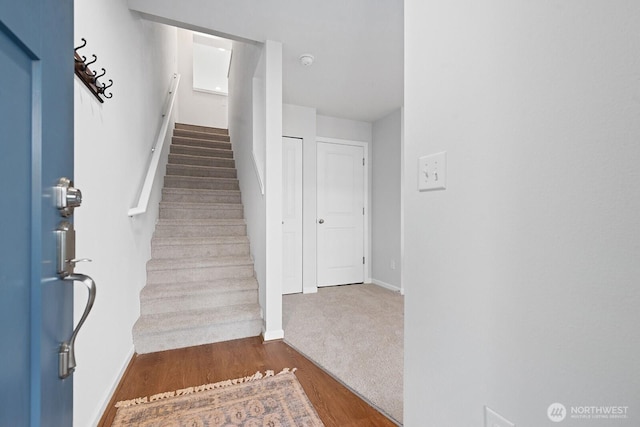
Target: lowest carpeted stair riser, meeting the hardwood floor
<point>198,336</point>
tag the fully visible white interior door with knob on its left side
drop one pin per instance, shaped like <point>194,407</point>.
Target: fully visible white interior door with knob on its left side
<point>340,219</point>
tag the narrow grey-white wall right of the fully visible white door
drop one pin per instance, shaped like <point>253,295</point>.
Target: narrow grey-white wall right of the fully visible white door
<point>385,201</point>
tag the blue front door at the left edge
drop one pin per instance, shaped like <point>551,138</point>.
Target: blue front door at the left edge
<point>36,149</point>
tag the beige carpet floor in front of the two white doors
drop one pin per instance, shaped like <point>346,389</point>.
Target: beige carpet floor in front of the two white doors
<point>355,333</point>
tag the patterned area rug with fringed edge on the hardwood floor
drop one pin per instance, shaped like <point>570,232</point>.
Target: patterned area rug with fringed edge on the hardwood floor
<point>257,401</point>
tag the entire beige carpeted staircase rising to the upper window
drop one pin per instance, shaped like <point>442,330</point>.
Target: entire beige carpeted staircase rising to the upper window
<point>200,279</point>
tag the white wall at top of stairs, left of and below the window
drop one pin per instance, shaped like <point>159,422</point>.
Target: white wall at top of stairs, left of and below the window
<point>196,107</point>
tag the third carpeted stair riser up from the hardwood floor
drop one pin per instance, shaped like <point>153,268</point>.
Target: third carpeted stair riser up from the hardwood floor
<point>157,277</point>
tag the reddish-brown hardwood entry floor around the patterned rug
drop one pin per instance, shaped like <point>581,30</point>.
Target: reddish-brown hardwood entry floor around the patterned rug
<point>175,369</point>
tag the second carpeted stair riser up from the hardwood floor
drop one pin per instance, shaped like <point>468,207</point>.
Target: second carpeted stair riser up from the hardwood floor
<point>197,302</point>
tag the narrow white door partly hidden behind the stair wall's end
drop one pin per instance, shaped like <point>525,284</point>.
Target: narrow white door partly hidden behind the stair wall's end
<point>291,215</point>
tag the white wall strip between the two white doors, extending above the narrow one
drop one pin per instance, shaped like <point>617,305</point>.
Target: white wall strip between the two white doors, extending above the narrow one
<point>300,122</point>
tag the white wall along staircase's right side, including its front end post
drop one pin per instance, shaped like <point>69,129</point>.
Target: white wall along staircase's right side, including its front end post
<point>262,212</point>
